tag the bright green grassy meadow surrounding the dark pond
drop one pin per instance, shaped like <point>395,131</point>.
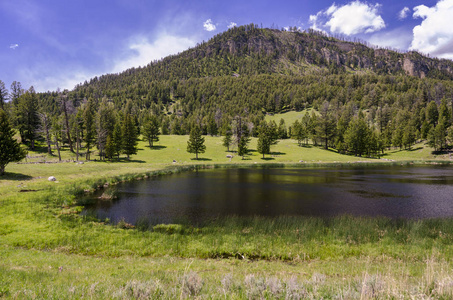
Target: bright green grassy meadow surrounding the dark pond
<point>48,250</point>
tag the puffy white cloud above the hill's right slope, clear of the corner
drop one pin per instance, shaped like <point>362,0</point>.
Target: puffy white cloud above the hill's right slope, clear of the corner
<point>352,18</point>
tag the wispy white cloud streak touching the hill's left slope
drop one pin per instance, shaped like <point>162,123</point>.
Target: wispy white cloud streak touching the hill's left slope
<point>141,51</point>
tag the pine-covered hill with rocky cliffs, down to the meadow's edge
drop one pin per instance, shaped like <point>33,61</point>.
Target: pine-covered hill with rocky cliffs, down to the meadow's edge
<point>360,100</point>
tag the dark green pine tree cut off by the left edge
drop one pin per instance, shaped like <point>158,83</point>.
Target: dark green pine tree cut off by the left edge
<point>10,149</point>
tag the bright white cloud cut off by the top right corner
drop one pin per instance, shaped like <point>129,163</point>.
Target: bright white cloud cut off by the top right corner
<point>435,34</point>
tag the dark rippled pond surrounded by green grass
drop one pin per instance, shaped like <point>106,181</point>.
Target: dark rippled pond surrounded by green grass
<point>408,192</point>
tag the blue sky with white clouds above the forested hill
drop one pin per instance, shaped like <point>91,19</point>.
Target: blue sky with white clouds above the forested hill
<point>52,44</point>
